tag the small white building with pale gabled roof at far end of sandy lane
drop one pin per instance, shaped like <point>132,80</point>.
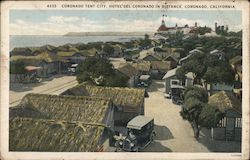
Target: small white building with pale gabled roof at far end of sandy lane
<point>171,80</point>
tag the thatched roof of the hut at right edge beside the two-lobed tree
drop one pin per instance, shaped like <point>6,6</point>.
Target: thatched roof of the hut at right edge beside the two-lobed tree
<point>225,100</point>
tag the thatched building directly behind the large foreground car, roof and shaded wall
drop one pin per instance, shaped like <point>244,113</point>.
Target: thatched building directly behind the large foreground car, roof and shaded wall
<point>128,102</point>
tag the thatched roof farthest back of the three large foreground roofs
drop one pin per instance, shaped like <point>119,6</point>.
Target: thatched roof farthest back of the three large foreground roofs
<point>120,96</point>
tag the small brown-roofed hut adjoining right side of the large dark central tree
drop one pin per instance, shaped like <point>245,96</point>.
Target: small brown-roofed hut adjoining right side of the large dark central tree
<point>131,72</point>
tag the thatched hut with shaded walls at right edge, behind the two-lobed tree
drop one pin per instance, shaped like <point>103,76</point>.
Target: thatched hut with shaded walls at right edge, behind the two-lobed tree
<point>230,126</point>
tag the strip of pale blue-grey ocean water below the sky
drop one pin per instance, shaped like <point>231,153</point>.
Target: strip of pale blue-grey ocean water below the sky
<point>37,41</point>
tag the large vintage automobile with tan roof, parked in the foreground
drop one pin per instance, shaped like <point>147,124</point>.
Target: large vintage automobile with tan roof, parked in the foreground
<point>140,134</point>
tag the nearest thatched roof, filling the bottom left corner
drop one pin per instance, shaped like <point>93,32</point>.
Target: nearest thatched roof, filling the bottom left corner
<point>29,134</point>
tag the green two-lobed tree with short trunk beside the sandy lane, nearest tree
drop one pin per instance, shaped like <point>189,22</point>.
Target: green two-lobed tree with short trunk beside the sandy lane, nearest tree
<point>197,111</point>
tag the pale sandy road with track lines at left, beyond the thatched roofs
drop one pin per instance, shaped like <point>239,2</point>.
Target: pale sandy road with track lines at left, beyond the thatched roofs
<point>54,85</point>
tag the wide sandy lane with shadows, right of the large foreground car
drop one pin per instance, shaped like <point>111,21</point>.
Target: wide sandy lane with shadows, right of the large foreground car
<point>173,133</point>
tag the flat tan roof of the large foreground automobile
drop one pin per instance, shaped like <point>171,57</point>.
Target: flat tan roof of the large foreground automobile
<point>138,122</point>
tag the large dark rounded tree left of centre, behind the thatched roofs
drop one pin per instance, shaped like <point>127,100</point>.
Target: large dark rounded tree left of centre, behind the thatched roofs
<point>99,71</point>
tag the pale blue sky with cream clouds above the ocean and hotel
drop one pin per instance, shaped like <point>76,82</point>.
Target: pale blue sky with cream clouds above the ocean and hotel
<point>60,22</point>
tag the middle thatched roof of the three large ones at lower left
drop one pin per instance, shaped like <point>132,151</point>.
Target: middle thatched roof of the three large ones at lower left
<point>68,108</point>
